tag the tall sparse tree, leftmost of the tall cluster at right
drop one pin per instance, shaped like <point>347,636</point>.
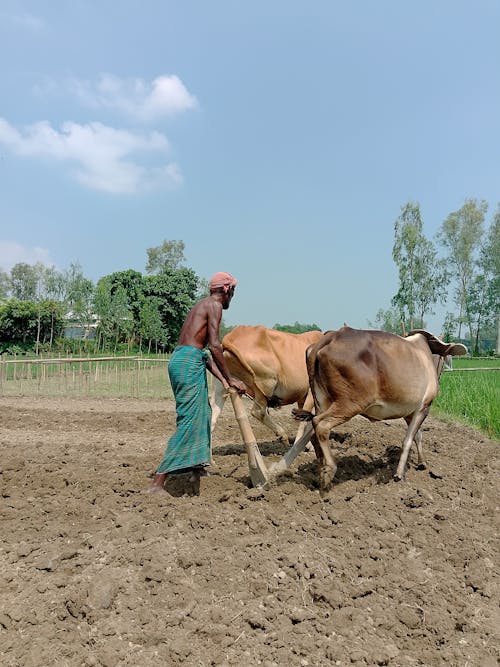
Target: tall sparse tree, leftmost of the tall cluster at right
<point>422,275</point>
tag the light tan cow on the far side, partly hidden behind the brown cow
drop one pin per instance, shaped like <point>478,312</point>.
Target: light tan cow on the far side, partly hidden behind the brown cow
<point>272,364</point>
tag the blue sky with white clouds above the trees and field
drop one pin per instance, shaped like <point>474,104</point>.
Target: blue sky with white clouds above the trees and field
<point>278,140</point>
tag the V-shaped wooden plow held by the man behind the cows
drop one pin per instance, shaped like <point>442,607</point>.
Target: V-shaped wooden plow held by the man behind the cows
<point>260,474</point>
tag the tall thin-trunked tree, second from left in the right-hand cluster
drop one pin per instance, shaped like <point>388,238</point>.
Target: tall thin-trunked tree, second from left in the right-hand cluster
<point>461,234</point>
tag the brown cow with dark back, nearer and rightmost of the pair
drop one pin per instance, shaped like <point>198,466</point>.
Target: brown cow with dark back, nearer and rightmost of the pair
<point>375,374</point>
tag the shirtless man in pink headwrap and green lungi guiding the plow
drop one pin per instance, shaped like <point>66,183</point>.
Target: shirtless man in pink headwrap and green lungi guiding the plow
<point>188,450</point>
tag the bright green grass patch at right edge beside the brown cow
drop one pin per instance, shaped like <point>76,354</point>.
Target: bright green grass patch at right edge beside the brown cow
<point>471,397</point>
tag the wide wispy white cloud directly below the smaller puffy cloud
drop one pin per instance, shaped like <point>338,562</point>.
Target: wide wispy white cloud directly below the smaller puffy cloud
<point>101,155</point>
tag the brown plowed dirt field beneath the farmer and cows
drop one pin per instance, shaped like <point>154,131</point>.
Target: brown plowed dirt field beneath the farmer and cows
<point>93,571</point>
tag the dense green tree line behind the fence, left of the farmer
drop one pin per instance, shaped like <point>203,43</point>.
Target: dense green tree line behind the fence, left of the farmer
<point>125,310</point>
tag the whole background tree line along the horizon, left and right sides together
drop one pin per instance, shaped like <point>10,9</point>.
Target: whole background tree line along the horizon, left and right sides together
<point>129,310</point>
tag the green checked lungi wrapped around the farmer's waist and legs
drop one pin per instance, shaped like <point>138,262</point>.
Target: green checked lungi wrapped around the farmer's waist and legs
<point>189,446</point>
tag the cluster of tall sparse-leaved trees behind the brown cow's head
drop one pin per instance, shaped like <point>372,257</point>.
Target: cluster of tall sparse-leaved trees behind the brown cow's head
<point>468,269</point>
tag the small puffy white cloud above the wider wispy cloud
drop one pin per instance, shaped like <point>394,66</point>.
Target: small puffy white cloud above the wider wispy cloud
<point>164,96</point>
